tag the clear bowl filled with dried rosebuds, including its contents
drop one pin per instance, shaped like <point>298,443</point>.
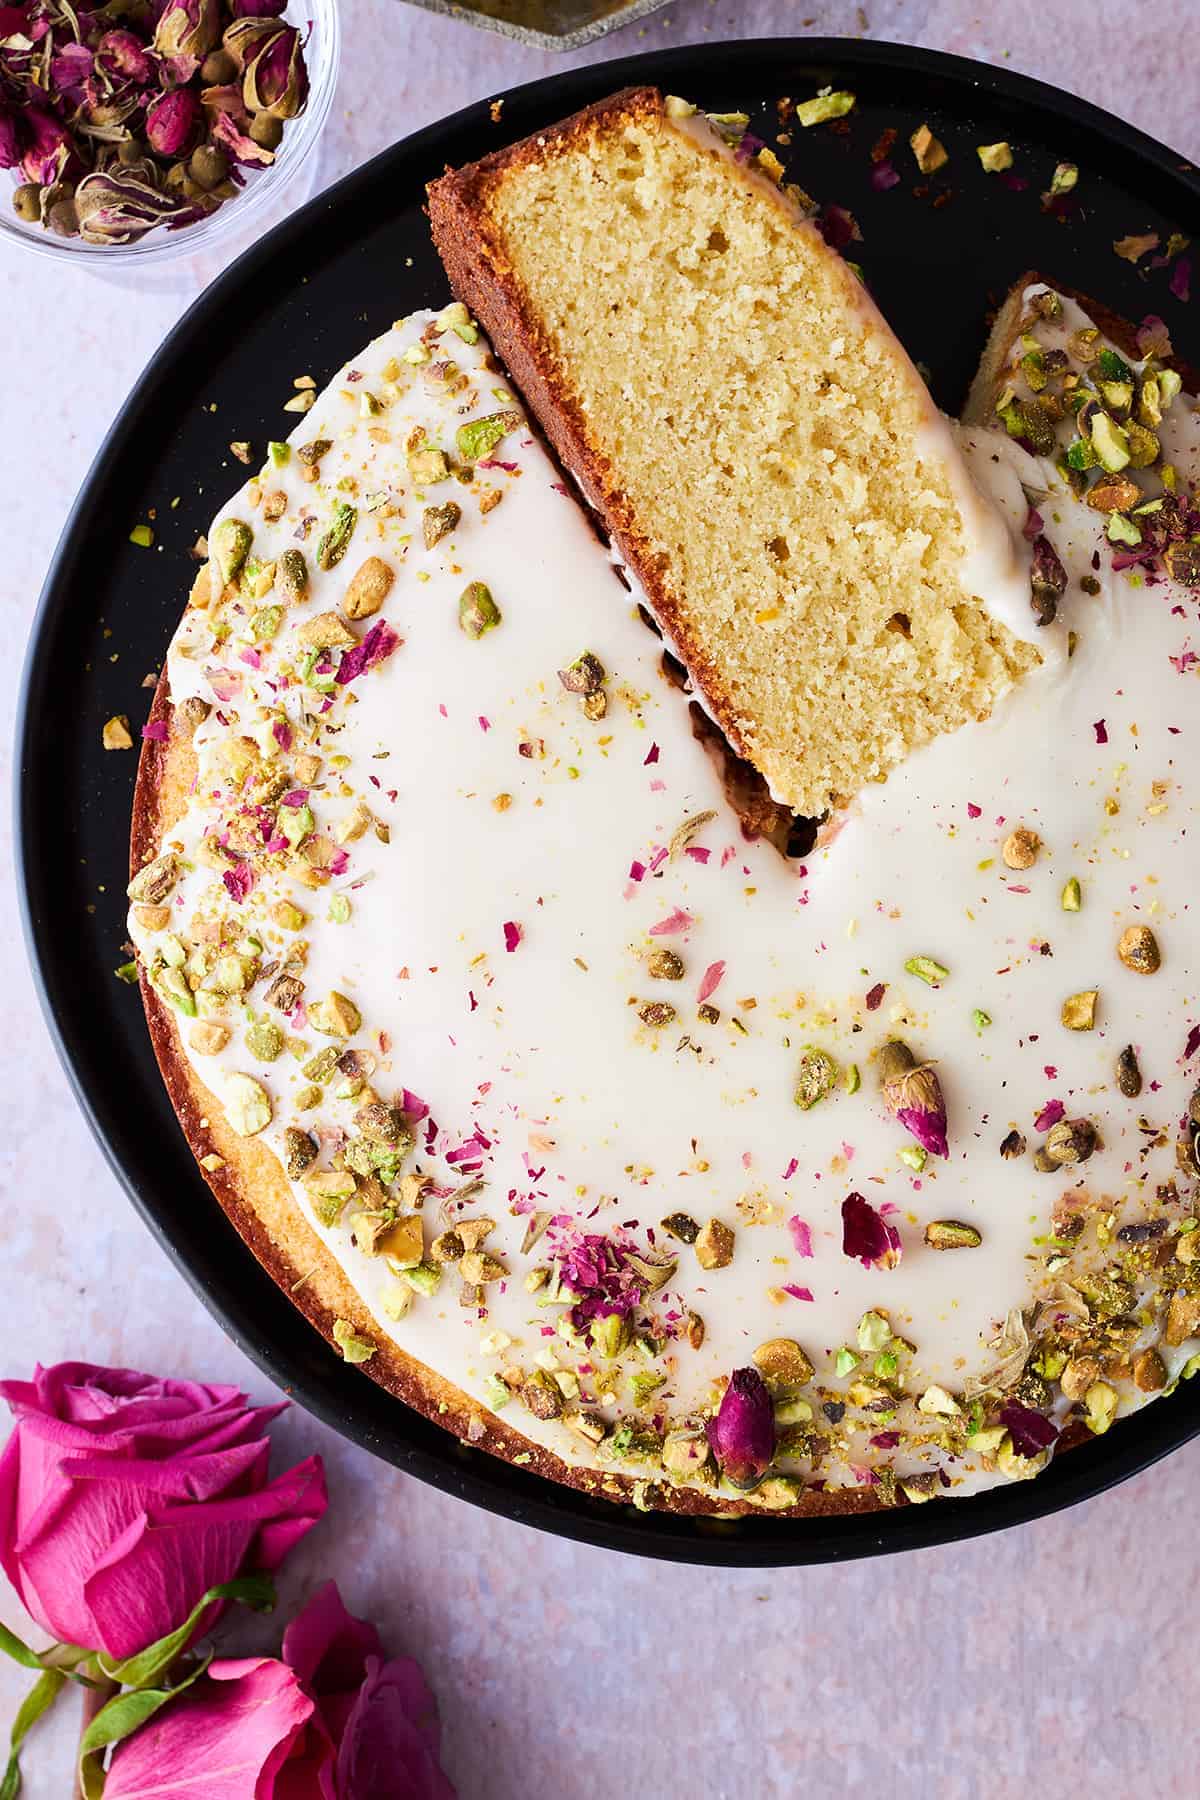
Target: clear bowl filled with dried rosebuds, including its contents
<point>154,129</point>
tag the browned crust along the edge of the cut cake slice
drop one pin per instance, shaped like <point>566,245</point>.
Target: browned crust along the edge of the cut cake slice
<point>483,278</point>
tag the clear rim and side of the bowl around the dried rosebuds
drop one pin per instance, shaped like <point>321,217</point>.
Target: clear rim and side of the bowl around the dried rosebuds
<point>235,219</point>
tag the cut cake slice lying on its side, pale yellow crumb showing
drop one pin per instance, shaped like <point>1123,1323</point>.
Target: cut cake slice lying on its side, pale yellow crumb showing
<point>755,438</point>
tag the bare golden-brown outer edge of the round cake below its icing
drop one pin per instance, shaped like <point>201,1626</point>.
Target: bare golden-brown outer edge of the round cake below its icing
<point>255,1196</point>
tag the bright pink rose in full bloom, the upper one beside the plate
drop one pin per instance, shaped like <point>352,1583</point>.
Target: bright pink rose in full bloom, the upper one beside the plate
<point>125,1498</point>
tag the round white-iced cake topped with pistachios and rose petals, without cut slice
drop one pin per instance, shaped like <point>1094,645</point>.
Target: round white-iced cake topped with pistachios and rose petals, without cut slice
<point>589,1122</point>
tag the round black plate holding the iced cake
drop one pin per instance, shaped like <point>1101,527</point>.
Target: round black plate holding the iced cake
<point>332,278</point>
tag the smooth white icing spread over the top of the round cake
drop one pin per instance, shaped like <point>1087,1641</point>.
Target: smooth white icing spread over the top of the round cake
<point>589,1111</point>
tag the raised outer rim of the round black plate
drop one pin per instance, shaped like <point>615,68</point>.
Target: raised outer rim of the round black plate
<point>341,1394</point>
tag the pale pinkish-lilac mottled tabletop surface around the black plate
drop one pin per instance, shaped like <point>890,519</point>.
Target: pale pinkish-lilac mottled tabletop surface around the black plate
<point>1059,1657</point>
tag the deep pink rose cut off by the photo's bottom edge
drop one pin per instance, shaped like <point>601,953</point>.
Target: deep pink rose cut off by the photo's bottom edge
<point>336,1720</point>
